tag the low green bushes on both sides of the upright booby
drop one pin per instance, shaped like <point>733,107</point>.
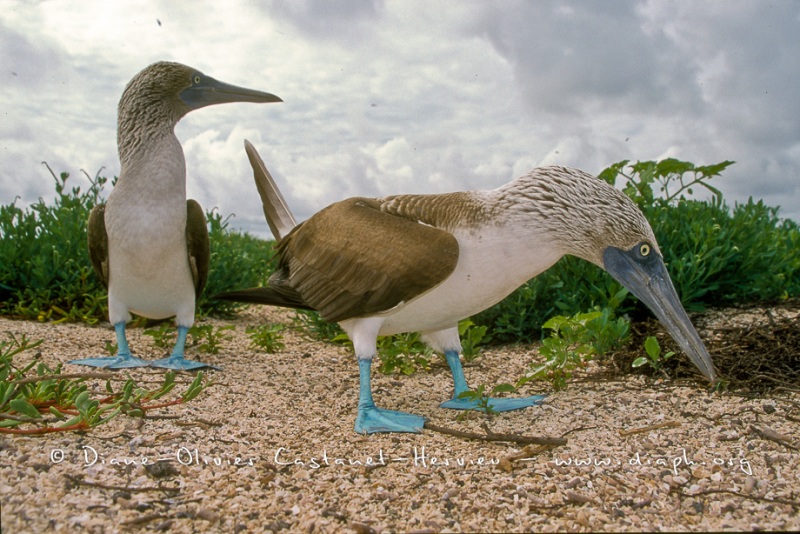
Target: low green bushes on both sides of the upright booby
<point>45,272</point>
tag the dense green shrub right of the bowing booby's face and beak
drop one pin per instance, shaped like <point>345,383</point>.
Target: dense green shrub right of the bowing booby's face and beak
<point>719,257</point>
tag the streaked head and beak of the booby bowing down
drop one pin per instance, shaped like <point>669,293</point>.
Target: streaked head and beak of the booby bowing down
<point>590,219</point>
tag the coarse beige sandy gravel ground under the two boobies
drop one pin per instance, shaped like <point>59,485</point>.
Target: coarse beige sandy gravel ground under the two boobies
<point>271,446</point>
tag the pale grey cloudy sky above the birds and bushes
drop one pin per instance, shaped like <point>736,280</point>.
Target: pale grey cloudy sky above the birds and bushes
<point>400,96</point>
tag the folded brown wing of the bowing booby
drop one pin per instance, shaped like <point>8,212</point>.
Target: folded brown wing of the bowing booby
<point>353,260</point>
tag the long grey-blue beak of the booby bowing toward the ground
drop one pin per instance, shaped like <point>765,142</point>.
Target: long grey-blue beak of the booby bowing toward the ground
<point>649,281</point>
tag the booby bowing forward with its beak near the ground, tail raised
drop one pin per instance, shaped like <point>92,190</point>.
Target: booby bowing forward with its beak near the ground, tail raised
<point>421,263</point>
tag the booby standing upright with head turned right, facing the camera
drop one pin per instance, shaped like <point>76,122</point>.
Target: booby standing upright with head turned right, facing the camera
<point>148,244</point>
